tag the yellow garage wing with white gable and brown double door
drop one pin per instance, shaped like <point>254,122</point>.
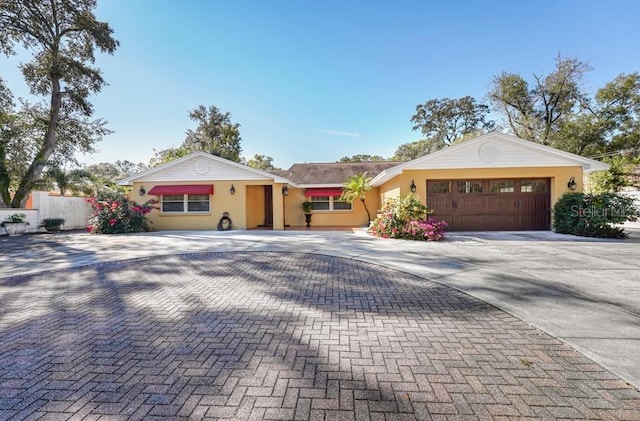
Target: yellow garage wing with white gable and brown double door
<point>494,182</point>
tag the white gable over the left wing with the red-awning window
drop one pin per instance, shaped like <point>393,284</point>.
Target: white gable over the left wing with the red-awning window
<point>201,166</point>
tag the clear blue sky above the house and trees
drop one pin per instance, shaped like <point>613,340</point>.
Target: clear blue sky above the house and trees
<point>316,81</point>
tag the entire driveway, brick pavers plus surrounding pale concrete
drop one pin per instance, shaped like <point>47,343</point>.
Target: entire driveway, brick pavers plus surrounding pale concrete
<point>318,325</point>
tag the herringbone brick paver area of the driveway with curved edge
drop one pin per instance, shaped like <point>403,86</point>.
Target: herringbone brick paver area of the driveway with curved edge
<point>263,335</point>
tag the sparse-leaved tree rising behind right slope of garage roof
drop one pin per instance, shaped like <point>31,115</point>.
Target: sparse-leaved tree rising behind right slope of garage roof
<point>536,111</point>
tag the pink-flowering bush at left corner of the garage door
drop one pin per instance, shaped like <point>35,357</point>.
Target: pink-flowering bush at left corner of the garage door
<point>407,218</point>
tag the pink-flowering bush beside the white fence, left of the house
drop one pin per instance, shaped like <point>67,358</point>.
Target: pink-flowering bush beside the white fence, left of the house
<point>116,215</point>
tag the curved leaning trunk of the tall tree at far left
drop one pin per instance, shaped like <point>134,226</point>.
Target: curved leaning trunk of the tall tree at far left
<point>40,160</point>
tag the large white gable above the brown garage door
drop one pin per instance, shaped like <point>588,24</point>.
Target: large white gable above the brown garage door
<point>493,150</point>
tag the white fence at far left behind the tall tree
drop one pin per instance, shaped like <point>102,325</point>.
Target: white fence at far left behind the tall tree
<point>74,210</point>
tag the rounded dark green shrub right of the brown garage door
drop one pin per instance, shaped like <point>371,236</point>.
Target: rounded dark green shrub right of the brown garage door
<point>594,215</point>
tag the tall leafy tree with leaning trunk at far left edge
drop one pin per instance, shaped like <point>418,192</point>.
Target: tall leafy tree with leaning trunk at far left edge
<point>63,35</point>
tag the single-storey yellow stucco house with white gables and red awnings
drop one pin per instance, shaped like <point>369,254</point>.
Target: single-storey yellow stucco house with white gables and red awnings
<point>493,182</point>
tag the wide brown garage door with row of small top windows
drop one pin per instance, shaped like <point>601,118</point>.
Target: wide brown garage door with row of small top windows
<point>491,204</point>
